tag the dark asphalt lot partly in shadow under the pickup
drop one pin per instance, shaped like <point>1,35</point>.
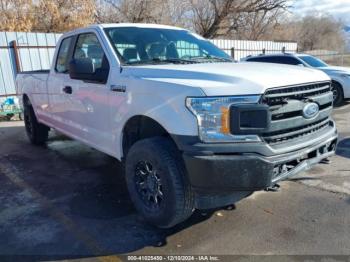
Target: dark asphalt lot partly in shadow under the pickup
<point>70,201</point>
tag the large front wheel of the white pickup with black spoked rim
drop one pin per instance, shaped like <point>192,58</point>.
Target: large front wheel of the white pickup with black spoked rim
<point>157,182</point>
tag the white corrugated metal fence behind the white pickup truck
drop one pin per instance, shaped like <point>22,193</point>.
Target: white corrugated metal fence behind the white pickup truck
<point>34,51</point>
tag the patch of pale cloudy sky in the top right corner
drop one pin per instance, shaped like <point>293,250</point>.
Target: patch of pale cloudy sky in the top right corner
<point>337,8</point>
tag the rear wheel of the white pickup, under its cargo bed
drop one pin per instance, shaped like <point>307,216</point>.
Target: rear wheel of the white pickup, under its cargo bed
<point>36,132</point>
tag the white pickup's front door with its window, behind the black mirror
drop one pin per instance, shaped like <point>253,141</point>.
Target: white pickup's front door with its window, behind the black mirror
<point>89,101</point>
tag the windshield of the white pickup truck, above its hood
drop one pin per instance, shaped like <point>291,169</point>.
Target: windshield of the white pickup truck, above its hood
<point>136,46</point>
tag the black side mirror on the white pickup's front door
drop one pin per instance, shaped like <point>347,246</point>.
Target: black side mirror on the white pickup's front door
<point>83,69</point>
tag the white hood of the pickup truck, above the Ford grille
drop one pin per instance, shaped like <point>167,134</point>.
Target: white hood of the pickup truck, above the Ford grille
<point>229,78</point>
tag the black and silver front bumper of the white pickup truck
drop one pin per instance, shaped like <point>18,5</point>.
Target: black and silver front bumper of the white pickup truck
<point>210,172</point>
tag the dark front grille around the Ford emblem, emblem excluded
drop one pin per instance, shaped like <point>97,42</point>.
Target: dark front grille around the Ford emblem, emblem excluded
<point>286,103</point>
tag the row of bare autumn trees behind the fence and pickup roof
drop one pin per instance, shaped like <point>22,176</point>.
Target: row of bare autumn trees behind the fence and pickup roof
<point>238,19</point>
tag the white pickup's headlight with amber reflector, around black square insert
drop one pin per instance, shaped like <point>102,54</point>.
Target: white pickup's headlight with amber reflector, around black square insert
<point>213,116</point>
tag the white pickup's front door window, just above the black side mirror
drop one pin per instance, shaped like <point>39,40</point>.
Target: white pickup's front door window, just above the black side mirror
<point>88,46</point>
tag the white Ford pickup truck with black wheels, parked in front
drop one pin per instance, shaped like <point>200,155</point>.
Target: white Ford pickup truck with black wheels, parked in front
<point>194,129</point>
